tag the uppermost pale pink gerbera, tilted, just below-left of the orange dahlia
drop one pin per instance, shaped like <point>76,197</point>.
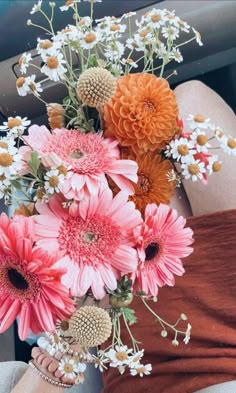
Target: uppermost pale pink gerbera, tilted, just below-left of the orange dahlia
<point>89,156</point>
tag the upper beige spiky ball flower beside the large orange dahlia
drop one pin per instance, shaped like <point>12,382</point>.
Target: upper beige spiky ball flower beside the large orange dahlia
<point>96,87</point>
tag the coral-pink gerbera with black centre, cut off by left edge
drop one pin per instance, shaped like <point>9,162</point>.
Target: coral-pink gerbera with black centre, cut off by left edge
<point>30,285</point>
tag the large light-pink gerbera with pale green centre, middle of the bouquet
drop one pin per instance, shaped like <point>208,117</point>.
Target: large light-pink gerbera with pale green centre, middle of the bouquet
<point>94,236</point>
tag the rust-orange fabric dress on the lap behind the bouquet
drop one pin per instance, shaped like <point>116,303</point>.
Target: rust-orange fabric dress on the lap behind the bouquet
<point>207,295</point>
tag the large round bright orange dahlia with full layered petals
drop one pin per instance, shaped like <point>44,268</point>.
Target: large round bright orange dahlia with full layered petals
<point>143,113</point>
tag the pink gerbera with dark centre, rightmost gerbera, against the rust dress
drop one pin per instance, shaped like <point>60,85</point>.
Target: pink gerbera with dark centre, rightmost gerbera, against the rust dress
<point>161,241</point>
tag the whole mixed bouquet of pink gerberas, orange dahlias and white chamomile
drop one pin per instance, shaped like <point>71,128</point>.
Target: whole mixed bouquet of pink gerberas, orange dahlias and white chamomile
<point>92,228</point>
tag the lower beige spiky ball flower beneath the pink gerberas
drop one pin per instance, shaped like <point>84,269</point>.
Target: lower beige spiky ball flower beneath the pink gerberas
<point>90,326</point>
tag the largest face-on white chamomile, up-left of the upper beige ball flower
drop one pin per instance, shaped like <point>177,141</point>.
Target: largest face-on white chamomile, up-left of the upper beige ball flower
<point>53,67</point>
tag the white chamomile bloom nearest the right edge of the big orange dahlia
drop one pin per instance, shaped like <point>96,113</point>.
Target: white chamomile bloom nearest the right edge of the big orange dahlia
<point>181,150</point>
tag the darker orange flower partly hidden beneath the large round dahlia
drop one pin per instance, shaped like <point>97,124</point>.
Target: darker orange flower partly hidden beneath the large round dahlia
<point>153,185</point>
